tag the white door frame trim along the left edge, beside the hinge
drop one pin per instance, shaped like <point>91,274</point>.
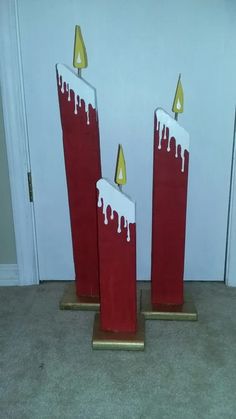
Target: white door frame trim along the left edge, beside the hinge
<point>15,123</point>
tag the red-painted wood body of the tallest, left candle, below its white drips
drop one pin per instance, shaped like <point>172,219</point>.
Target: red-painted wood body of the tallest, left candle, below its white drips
<point>83,169</point>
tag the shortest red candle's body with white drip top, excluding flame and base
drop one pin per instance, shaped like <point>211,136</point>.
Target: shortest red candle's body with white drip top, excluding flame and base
<point>117,255</point>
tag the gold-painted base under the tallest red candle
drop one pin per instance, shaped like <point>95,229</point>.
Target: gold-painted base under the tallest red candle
<point>70,301</point>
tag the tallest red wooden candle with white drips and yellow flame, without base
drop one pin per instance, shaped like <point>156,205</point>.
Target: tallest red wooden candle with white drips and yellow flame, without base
<point>79,120</point>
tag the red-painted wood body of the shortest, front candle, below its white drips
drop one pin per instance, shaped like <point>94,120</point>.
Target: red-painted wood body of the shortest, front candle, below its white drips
<point>117,275</point>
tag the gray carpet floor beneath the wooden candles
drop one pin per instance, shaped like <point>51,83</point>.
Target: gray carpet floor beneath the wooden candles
<point>48,369</point>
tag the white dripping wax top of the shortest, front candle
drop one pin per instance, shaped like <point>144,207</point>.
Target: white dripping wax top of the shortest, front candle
<point>109,195</point>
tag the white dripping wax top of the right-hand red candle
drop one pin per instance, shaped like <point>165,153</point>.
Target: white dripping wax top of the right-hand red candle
<point>164,121</point>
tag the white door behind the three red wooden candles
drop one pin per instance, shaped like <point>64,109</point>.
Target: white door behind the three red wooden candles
<point>136,50</point>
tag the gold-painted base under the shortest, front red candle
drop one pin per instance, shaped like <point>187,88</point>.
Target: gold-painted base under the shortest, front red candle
<point>118,340</point>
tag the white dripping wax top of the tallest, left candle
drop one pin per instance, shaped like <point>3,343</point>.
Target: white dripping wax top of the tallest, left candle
<point>80,87</point>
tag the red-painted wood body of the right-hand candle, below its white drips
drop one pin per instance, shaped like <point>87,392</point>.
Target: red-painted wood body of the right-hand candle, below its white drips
<point>169,220</point>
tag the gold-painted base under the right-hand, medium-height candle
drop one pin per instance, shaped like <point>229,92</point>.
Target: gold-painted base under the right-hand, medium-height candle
<point>186,311</point>
